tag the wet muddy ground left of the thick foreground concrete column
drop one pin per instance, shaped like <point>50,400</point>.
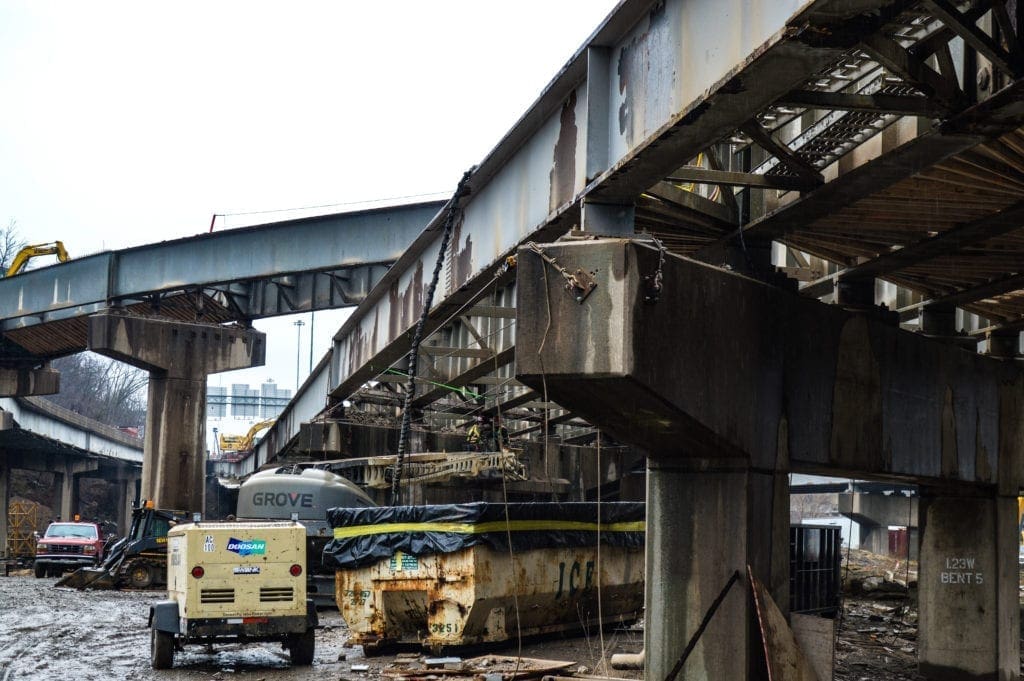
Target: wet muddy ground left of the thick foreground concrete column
<point>59,633</point>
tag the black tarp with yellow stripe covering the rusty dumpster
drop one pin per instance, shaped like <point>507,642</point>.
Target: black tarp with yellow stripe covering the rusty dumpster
<point>365,536</point>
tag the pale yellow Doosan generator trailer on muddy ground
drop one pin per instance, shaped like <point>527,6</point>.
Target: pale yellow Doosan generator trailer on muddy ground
<point>235,582</point>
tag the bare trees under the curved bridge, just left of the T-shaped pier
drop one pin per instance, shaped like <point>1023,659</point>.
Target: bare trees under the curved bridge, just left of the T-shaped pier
<point>109,392</point>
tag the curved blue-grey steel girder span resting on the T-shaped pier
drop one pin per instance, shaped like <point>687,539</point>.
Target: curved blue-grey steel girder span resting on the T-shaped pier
<point>235,276</point>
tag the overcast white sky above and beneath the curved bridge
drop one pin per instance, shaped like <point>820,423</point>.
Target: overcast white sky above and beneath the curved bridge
<point>125,123</point>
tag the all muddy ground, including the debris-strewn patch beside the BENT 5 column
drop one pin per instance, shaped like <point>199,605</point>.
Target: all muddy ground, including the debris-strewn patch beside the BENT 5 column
<point>58,633</point>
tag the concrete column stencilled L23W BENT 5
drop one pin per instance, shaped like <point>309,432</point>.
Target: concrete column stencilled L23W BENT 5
<point>968,590</point>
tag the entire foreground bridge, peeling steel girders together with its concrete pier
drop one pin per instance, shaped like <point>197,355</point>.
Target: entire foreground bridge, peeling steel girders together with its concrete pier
<point>775,156</point>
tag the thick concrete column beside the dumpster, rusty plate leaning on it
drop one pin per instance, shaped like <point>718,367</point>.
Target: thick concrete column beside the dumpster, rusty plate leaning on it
<point>708,519</point>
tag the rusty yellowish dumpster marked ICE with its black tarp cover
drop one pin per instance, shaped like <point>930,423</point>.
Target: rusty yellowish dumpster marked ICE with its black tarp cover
<point>445,577</point>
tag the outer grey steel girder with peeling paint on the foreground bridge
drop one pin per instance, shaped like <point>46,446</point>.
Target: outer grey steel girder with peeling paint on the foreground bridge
<point>666,88</point>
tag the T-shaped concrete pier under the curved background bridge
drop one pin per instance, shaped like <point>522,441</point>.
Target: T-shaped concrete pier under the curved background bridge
<point>179,357</point>
